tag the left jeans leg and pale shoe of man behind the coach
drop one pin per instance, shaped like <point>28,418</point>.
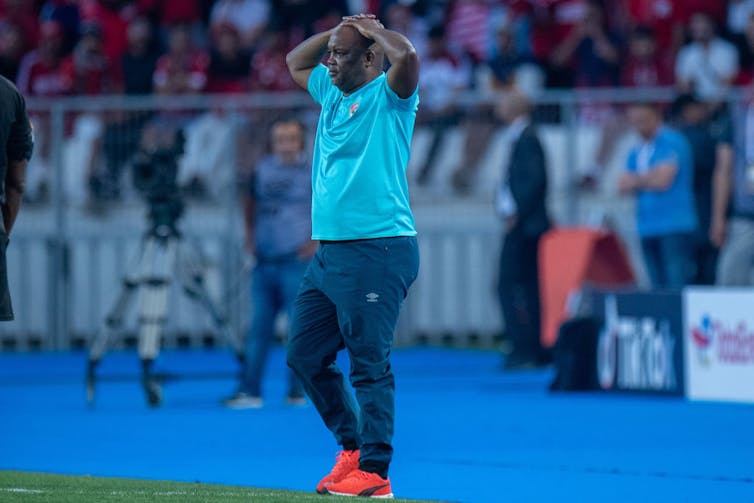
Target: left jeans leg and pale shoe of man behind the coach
<point>265,303</point>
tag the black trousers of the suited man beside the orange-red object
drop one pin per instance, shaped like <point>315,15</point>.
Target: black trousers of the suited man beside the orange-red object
<point>518,290</point>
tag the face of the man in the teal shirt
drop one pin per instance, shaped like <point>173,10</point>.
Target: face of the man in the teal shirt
<point>345,59</point>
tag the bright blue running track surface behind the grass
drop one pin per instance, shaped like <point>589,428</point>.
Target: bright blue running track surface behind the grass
<point>465,431</point>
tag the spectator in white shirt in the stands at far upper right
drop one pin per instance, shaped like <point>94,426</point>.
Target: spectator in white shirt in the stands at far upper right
<point>708,65</point>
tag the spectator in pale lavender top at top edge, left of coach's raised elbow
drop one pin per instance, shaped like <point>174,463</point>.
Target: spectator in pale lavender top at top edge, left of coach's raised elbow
<point>249,17</point>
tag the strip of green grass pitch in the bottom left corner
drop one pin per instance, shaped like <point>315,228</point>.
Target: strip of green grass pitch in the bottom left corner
<point>42,487</point>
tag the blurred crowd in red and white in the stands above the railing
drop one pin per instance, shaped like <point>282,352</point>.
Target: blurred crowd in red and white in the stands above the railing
<point>63,47</point>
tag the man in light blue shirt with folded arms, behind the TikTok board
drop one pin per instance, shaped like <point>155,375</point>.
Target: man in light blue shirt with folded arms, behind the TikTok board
<point>659,172</point>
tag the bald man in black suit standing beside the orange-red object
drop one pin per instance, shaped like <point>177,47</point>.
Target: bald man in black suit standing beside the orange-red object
<point>521,205</point>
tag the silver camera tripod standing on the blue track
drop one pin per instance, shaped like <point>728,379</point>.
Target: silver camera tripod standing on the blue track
<point>164,257</point>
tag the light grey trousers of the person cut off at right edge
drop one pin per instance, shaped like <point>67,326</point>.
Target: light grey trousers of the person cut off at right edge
<point>736,261</point>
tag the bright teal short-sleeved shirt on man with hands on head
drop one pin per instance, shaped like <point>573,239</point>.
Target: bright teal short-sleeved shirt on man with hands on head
<point>362,147</point>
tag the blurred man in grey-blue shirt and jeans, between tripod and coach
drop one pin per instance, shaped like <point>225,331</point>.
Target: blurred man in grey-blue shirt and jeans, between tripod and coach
<point>277,218</point>
